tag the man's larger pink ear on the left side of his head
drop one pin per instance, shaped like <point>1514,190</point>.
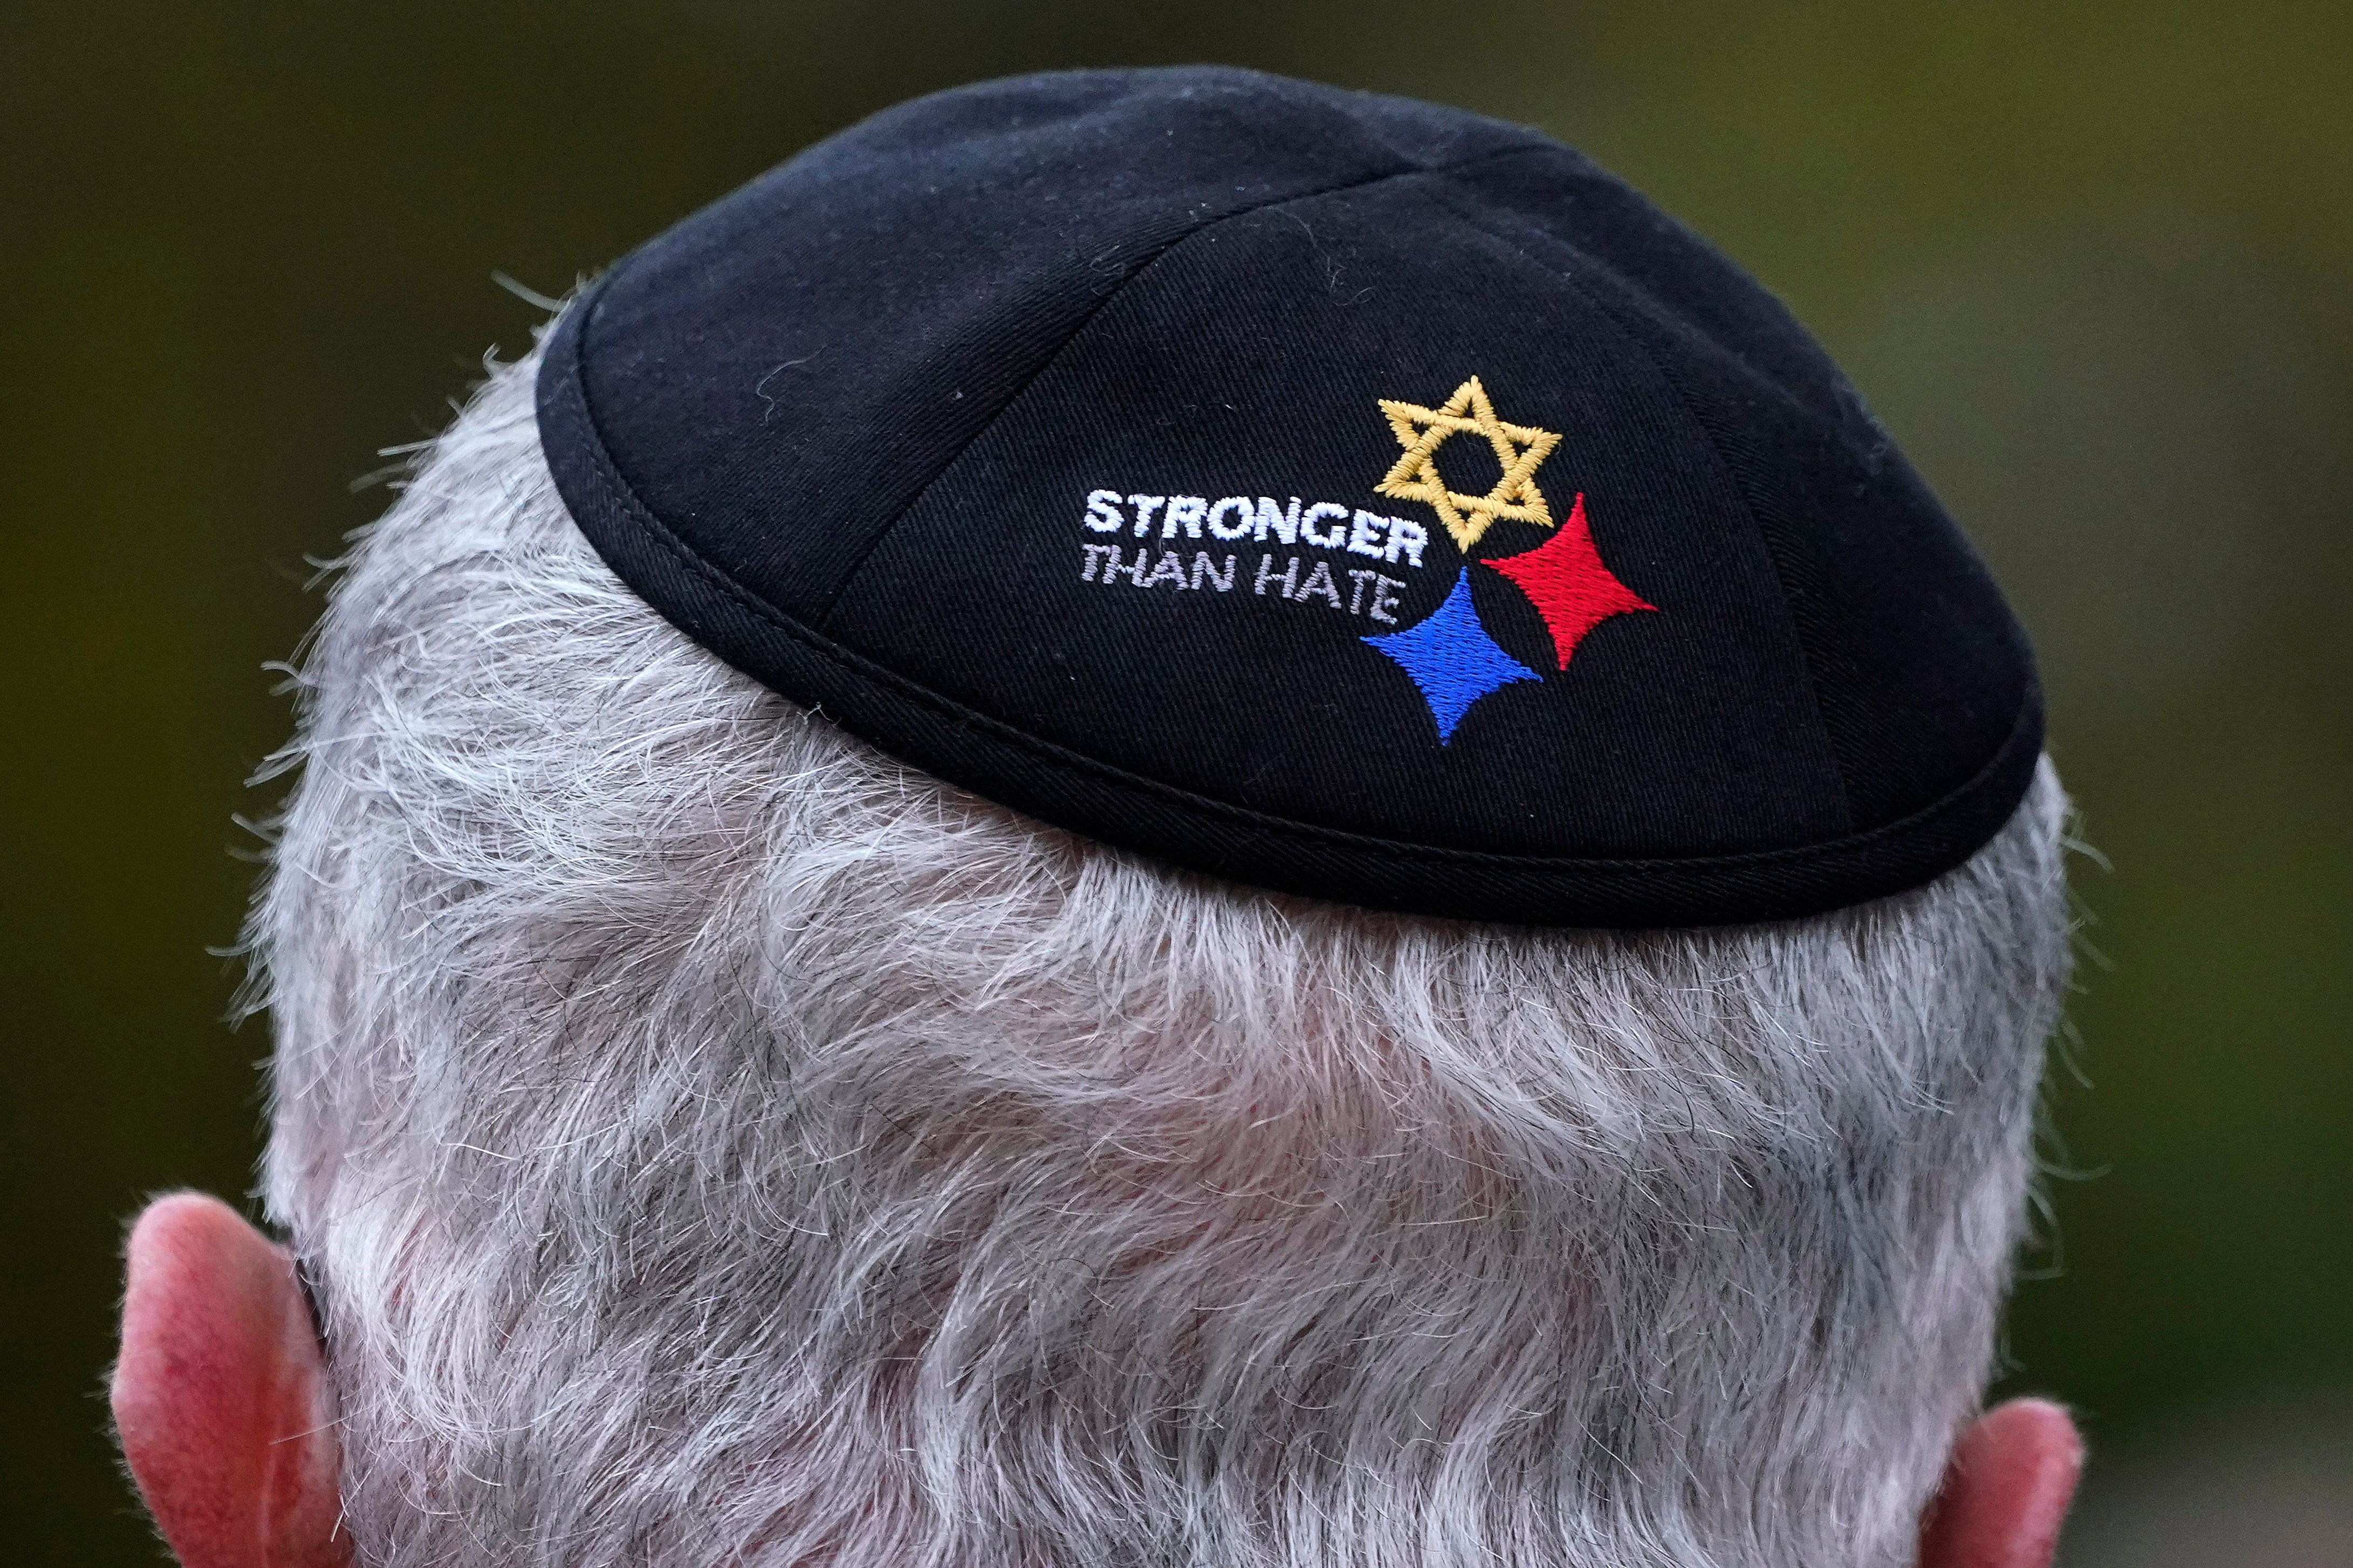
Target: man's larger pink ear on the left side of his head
<point>220,1395</point>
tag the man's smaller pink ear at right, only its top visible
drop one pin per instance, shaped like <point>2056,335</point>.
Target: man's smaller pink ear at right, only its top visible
<point>2006,1492</point>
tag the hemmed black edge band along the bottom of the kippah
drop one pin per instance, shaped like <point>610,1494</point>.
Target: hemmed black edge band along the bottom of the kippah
<point>1098,800</point>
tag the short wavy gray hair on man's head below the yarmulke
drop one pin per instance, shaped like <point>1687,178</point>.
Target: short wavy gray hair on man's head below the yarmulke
<point>719,1144</point>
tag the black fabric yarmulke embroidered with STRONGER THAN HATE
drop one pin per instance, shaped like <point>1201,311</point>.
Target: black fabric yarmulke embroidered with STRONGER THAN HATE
<point>1328,492</point>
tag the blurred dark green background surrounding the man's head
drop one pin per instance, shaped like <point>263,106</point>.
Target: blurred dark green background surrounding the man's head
<point>2088,262</point>
